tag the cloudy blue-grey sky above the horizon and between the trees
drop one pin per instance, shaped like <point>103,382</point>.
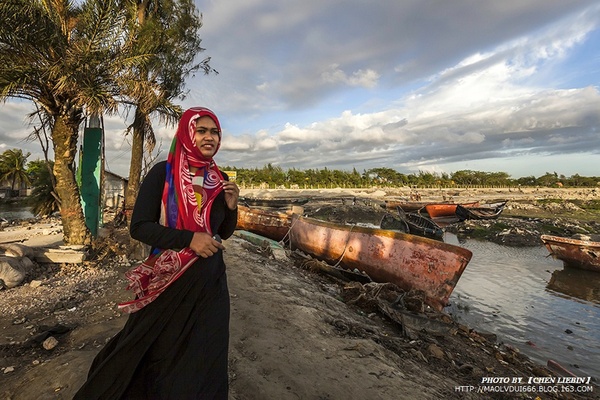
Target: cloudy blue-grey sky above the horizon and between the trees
<point>413,85</point>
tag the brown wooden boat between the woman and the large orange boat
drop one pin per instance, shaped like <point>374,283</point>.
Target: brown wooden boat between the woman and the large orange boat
<point>270,224</point>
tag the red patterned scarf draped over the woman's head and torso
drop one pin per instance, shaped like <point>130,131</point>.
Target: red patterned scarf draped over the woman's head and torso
<point>186,204</point>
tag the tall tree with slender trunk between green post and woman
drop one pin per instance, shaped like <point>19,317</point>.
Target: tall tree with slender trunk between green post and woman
<point>172,27</point>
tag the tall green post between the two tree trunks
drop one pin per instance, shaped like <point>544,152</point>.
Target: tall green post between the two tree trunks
<point>90,169</point>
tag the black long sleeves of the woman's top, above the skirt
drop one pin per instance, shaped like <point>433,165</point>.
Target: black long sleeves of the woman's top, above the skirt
<point>146,213</point>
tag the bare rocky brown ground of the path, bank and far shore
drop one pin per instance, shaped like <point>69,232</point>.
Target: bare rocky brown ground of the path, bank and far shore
<point>295,333</point>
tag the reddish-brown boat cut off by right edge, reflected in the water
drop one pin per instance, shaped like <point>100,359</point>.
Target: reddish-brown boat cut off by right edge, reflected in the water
<point>584,254</point>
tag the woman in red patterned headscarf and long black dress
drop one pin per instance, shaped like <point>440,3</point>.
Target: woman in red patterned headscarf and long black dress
<point>175,343</point>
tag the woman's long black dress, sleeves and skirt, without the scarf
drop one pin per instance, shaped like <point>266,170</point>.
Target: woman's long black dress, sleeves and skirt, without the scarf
<point>176,347</point>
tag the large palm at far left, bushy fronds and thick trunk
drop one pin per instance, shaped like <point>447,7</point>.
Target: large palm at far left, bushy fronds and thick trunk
<point>67,58</point>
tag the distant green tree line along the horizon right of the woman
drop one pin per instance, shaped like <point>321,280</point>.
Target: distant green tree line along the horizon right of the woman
<point>271,176</point>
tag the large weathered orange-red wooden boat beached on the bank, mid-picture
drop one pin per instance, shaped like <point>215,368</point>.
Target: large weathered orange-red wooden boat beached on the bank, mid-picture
<point>409,261</point>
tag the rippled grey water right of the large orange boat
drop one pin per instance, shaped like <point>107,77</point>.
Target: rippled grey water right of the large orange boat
<point>532,302</point>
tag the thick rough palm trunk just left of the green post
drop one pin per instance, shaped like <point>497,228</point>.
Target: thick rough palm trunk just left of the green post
<point>64,138</point>
